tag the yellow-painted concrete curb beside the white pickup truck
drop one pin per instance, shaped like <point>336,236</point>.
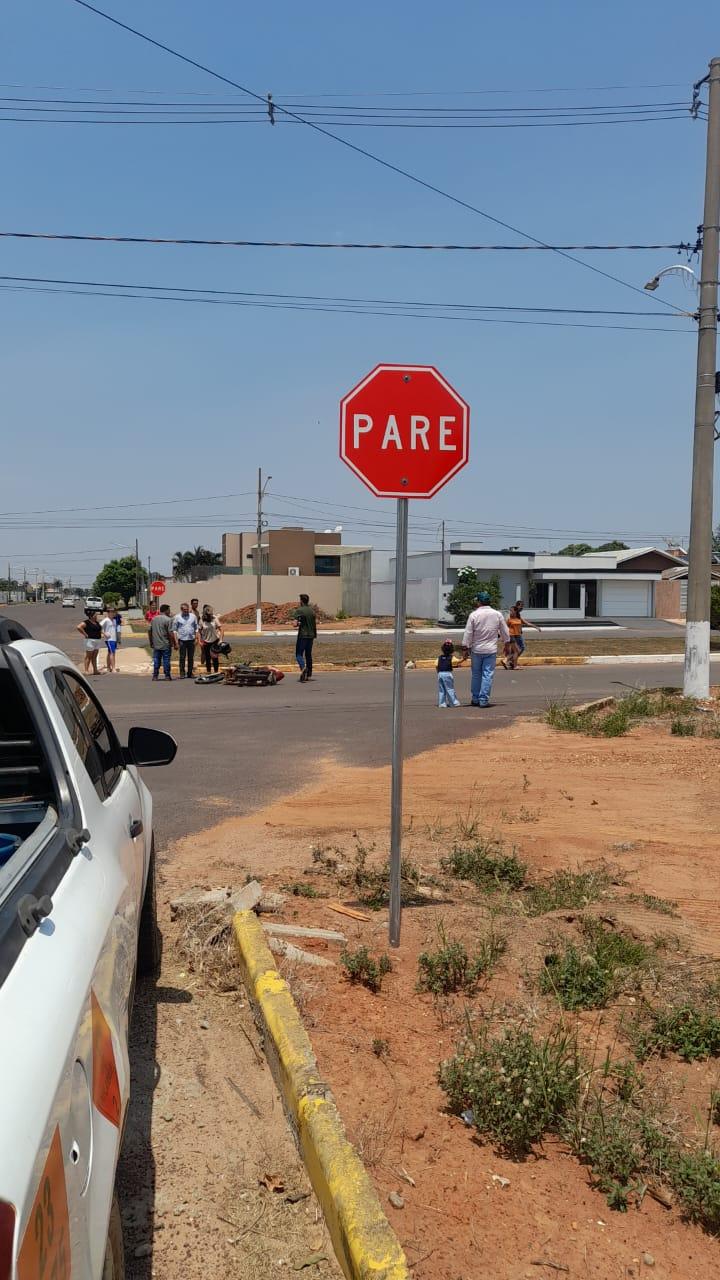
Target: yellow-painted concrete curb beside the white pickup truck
<point>364,1242</point>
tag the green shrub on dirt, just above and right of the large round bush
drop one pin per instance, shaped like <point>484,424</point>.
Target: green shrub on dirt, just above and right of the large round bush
<point>587,977</point>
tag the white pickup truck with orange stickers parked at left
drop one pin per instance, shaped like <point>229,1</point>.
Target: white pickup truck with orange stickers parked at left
<point>78,922</point>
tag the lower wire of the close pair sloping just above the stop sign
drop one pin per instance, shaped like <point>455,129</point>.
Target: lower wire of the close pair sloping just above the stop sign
<point>341,310</point>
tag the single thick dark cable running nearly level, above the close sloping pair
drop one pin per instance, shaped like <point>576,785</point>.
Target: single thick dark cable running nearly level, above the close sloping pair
<point>247,244</point>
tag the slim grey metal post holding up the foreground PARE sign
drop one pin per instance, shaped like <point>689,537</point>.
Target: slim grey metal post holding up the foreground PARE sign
<point>398,708</point>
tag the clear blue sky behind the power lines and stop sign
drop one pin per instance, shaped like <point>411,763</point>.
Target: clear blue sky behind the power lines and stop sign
<point>115,401</point>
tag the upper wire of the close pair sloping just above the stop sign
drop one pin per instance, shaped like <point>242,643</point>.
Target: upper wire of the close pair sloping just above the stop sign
<point>315,298</point>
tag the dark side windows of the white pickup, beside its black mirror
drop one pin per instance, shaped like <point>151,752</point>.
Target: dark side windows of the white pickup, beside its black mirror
<point>92,733</point>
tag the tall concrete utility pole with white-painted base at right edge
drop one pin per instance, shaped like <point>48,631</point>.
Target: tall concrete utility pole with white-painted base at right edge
<point>698,623</point>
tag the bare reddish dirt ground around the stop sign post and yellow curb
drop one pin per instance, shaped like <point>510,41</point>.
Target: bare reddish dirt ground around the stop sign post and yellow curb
<point>645,806</point>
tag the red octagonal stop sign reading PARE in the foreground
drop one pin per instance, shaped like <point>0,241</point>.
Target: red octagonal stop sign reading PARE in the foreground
<point>404,431</point>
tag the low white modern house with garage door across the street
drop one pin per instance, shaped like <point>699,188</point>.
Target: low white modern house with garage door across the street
<point>555,588</point>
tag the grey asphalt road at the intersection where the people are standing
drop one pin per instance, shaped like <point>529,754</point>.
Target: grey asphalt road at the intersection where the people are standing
<point>249,746</point>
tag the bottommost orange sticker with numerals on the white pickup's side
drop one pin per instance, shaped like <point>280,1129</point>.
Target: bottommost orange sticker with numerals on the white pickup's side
<point>45,1252</point>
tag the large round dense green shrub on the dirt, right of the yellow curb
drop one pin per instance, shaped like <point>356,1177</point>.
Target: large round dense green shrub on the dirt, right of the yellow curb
<point>514,1090</point>
